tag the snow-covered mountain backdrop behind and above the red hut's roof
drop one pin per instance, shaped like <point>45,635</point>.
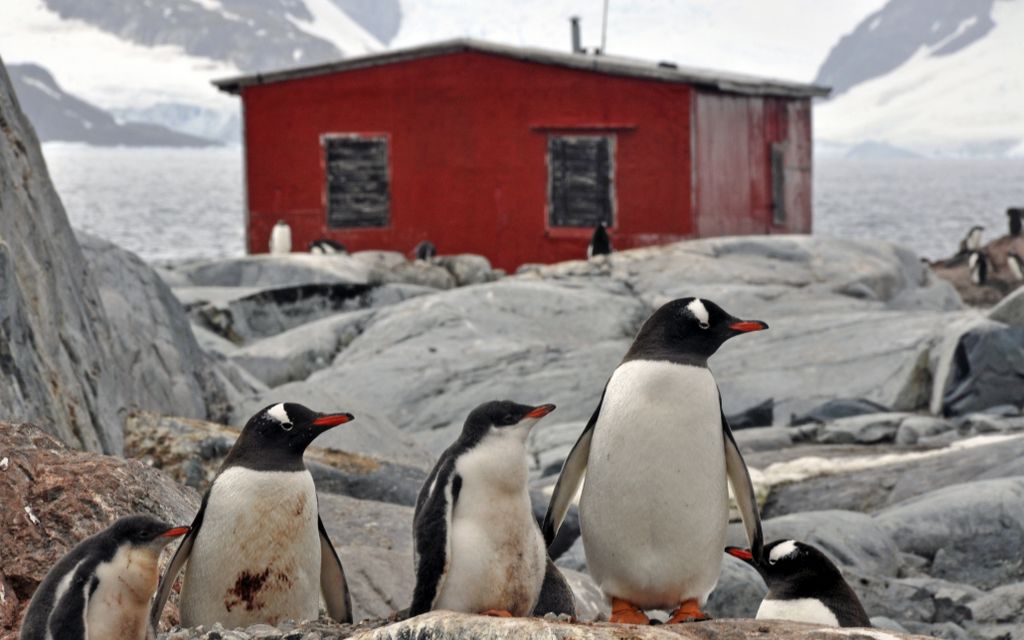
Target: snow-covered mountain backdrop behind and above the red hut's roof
<point>935,77</point>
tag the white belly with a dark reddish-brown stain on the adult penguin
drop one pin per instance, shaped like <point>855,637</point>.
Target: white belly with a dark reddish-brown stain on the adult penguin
<point>258,556</point>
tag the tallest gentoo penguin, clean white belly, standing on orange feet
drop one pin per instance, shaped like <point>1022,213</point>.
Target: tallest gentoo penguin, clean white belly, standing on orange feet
<point>657,454</point>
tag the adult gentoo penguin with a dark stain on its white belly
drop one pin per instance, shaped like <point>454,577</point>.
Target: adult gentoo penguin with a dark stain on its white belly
<point>259,551</point>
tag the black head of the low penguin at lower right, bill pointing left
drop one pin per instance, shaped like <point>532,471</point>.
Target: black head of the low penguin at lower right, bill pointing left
<point>792,564</point>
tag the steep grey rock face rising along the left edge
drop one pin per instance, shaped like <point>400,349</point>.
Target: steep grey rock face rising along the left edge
<point>57,353</point>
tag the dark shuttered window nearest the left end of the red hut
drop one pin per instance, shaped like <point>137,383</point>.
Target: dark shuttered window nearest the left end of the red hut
<point>359,188</point>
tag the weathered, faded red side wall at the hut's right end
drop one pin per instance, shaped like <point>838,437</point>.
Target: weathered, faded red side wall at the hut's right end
<point>733,177</point>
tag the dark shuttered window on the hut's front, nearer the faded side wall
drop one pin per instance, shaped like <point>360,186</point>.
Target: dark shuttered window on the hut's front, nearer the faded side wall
<point>581,181</point>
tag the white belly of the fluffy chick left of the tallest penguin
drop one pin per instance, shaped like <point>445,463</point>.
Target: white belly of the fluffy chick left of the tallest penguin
<point>497,554</point>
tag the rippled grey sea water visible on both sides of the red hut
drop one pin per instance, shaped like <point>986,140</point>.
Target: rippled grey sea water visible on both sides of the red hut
<point>179,204</point>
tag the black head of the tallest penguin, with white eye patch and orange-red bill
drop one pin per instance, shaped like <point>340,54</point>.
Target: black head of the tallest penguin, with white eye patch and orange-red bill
<point>690,331</point>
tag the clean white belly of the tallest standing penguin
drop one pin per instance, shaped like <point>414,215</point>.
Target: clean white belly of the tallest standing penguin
<point>655,505</point>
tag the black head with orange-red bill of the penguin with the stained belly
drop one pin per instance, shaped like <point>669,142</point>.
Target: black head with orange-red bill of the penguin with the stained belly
<point>279,435</point>
